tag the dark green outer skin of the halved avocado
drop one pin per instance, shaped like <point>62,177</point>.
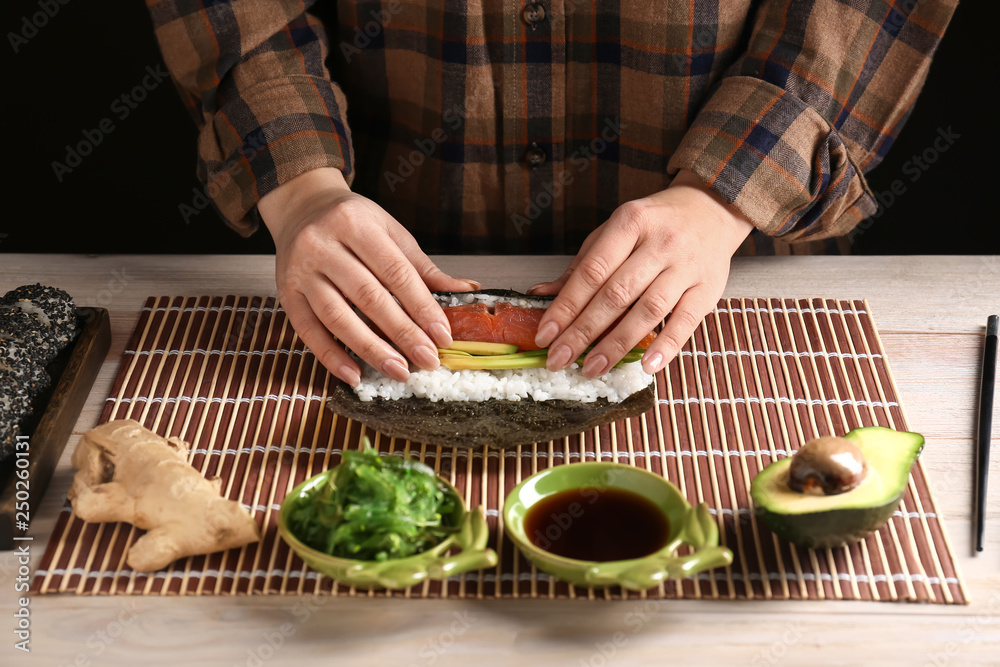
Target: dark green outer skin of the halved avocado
<point>831,528</point>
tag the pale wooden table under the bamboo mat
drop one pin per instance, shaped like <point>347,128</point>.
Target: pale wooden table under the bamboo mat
<point>931,312</point>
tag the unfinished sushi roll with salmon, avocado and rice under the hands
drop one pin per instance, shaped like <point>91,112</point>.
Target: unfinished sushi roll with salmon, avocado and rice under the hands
<point>492,387</point>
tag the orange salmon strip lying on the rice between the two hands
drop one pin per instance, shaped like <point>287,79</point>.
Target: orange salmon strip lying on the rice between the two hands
<point>508,323</point>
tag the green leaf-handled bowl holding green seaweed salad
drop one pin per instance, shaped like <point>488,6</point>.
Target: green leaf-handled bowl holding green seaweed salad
<point>435,563</point>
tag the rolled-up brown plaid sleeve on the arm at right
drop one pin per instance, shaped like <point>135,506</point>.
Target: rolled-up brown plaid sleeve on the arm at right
<point>816,101</point>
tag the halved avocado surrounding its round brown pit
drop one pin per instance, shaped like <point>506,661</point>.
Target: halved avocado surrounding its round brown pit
<point>818,521</point>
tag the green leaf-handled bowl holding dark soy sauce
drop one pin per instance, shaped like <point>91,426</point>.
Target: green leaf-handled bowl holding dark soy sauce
<point>693,526</point>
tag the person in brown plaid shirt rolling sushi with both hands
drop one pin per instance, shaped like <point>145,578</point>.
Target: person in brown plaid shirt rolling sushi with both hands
<point>650,139</point>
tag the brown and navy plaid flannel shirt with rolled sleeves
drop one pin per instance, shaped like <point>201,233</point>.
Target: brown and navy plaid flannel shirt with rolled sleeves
<point>518,128</point>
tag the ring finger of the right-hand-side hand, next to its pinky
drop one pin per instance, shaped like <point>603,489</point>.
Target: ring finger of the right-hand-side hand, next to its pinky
<point>649,311</point>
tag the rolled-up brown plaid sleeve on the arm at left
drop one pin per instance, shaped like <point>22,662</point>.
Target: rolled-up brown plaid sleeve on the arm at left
<point>252,74</point>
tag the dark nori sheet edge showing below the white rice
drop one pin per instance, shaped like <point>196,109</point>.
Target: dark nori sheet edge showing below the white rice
<point>478,425</point>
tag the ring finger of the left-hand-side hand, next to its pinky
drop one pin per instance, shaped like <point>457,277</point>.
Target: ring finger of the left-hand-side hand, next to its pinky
<point>336,314</point>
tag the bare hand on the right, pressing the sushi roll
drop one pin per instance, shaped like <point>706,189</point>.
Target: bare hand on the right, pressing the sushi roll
<point>668,254</point>
